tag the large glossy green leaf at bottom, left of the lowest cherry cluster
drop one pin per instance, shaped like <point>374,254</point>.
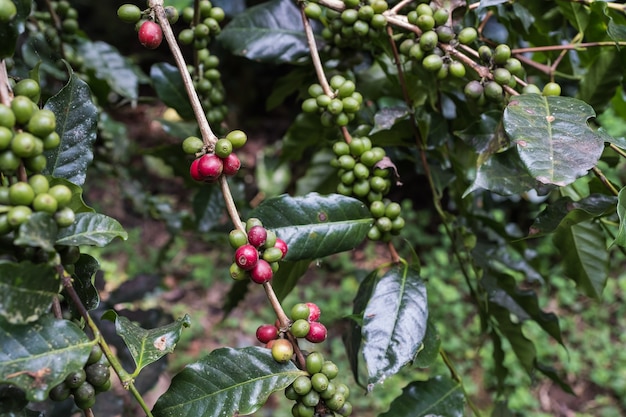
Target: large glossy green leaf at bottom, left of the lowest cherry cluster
<point>225,383</point>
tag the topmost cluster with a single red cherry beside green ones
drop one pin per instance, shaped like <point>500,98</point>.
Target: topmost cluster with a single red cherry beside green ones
<point>149,32</point>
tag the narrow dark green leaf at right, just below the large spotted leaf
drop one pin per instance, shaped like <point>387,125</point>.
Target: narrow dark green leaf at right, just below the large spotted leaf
<point>565,212</point>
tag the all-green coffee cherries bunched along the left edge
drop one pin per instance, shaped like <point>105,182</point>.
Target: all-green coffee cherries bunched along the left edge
<point>25,133</point>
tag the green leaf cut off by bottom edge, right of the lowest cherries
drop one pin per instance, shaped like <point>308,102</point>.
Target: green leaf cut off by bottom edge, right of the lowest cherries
<point>439,396</point>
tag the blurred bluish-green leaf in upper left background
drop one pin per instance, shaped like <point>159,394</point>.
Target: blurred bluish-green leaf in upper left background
<point>108,64</point>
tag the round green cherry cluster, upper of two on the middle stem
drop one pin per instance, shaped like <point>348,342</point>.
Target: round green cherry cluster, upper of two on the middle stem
<point>337,108</point>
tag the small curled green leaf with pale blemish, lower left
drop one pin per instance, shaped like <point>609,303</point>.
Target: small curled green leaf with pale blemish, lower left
<point>147,346</point>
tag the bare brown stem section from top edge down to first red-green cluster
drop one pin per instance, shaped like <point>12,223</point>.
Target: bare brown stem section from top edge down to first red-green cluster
<point>208,136</point>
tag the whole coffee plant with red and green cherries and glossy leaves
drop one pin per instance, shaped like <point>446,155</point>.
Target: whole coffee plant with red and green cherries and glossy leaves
<point>469,107</point>
